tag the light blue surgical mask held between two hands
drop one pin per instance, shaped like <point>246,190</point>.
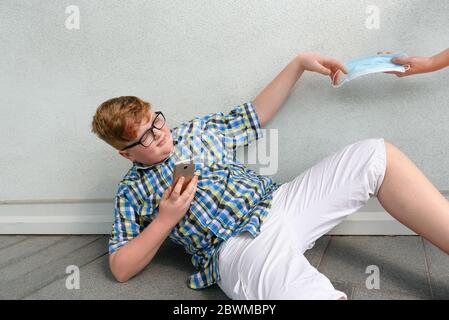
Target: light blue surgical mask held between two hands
<point>367,65</point>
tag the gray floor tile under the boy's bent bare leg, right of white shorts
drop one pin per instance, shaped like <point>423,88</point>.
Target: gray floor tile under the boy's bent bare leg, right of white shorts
<point>400,261</point>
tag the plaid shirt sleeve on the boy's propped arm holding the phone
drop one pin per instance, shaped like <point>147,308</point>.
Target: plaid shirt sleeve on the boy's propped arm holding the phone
<point>125,227</point>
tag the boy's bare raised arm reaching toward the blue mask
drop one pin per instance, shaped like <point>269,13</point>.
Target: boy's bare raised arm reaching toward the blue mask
<point>273,96</point>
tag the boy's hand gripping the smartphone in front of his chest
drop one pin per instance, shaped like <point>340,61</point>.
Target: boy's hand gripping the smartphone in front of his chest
<point>175,203</point>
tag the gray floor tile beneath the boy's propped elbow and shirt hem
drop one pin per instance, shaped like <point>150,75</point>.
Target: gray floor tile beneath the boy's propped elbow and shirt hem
<point>164,278</point>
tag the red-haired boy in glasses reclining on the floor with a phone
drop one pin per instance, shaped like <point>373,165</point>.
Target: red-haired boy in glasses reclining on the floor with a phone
<point>225,199</point>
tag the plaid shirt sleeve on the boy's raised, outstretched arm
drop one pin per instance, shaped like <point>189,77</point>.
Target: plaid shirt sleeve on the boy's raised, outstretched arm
<point>241,124</point>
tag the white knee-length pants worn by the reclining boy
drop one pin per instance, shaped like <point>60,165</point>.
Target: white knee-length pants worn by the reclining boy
<point>272,265</point>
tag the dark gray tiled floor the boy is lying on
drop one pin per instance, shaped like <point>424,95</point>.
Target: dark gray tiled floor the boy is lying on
<point>34,267</point>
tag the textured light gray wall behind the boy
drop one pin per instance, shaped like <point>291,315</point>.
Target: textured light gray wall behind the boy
<point>195,57</point>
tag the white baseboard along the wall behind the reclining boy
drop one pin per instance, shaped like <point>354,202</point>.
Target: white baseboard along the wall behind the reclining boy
<point>96,217</point>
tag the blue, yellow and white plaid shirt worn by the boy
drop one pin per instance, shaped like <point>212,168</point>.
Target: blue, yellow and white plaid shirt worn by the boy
<point>230,198</point>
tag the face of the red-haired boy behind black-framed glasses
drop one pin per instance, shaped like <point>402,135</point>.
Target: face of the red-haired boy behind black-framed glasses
<point>157,151</point>
